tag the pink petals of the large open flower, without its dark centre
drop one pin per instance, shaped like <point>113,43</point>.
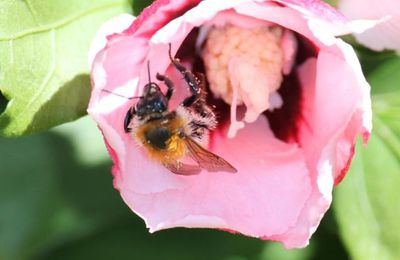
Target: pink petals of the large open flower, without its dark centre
<point>281,190</point>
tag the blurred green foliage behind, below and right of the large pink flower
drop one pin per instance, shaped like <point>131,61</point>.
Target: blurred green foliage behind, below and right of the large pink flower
<point>57,199</point>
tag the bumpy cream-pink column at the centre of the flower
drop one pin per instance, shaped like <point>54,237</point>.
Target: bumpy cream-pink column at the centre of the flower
<point>246,67</point>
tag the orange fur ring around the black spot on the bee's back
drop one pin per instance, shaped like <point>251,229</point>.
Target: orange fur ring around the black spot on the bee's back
<point>176,147</point>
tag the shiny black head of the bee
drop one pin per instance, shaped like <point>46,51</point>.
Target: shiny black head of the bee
<point>152,101</point>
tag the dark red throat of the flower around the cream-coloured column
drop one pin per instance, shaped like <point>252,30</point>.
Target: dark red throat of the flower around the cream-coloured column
<point>284,121</point>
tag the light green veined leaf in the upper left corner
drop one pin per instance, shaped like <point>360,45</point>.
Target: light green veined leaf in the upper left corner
<point>44,73</point>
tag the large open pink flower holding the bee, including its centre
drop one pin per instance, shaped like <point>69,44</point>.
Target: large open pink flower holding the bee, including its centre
<point>289,111</point>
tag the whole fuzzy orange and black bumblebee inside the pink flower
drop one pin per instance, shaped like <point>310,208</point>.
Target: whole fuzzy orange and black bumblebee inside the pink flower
<point>169,136</point>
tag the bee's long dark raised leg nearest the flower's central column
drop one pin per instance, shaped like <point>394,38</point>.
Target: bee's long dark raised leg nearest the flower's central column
<point>189,78</point>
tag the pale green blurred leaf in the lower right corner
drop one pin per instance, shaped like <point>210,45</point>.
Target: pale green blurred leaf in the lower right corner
<point>366,203</point>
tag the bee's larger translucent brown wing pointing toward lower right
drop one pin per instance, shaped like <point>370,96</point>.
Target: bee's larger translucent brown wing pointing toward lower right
<point>206,159</point>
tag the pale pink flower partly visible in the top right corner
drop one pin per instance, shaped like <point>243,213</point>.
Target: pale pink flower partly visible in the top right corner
<point>386,35</point>
